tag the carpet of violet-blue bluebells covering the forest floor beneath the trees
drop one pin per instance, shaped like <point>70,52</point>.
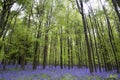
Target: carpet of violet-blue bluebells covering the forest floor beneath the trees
<point>52,73</point>
